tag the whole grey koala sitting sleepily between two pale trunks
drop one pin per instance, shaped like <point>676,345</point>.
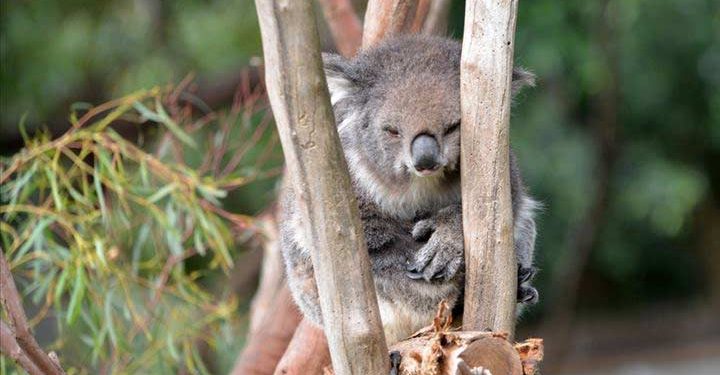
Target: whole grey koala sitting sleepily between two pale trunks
<point>397,109</point>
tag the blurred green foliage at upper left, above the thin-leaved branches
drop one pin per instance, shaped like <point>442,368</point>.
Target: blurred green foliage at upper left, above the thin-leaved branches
<point>57,52</point>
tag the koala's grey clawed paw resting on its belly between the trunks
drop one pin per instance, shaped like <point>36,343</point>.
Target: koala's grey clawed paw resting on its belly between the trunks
<point>441,257</point>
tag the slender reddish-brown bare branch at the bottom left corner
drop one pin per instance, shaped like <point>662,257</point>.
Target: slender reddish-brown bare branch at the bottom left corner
<point>12,304</point>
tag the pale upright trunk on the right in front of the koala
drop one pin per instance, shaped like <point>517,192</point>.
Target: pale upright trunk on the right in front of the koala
<point>485,74</point>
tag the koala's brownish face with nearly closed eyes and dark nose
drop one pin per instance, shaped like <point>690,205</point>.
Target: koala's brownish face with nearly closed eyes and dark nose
<point>413,126</point>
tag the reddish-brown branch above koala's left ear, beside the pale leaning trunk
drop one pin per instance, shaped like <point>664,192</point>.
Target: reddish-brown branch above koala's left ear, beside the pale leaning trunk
<point>344,25</point>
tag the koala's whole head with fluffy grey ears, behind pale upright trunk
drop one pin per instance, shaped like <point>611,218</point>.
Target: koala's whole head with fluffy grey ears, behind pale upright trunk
<point>397,107</point>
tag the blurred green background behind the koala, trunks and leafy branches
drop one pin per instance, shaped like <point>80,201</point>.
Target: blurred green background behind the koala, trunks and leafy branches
<point>620,139</point>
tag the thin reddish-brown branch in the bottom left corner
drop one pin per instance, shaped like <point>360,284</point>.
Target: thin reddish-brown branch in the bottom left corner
<point>18,342</point>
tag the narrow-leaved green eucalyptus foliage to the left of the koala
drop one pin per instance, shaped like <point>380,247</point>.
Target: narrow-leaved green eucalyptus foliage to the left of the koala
<point>100,231</point>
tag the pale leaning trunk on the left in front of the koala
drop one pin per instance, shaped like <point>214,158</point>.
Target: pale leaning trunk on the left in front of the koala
<point>318,173</point>
